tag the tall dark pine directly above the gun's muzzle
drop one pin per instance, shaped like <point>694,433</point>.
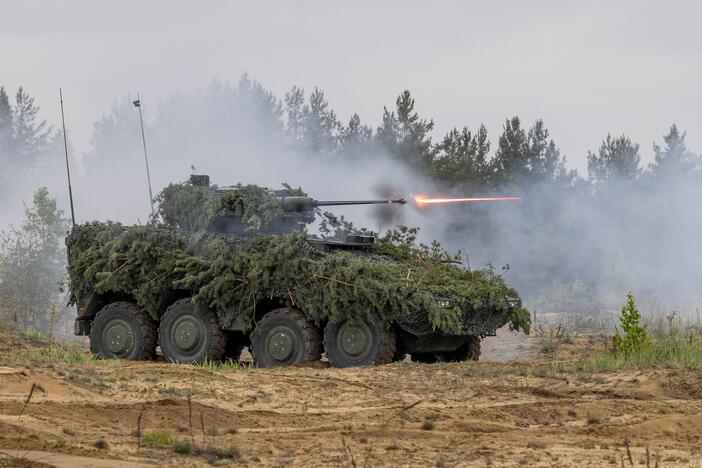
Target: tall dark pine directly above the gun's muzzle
<point>405,136</point>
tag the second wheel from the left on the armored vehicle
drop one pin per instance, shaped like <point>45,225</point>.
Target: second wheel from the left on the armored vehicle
<point>190,333</point>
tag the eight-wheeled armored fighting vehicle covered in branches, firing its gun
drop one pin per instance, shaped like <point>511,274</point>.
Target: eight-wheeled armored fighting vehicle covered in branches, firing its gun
<point>221,268</point>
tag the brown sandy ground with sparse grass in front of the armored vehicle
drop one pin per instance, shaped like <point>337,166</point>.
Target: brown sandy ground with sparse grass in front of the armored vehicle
<point>404,414</point>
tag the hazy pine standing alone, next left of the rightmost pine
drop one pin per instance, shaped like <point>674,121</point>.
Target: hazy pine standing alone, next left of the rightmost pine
<point>616,162</point>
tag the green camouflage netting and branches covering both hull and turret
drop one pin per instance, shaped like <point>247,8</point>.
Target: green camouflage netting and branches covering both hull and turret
<point>418,286</point>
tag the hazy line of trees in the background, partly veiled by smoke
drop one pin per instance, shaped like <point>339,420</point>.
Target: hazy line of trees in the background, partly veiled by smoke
<point>543,241</point>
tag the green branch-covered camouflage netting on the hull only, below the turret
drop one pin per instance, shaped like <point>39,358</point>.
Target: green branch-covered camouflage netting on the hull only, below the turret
<point>232,275</point>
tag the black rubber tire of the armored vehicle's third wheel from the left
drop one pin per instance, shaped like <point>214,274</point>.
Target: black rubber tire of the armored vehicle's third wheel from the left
<point>307,344</point>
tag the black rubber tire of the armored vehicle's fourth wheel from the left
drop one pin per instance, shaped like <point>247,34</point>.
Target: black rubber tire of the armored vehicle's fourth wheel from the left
<point>382,347</point>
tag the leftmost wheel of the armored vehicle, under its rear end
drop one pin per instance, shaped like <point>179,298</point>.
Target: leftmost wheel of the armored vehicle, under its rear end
<point>122,330</point>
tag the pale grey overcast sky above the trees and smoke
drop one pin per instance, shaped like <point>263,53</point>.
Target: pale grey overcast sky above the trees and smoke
<point>586,68</point>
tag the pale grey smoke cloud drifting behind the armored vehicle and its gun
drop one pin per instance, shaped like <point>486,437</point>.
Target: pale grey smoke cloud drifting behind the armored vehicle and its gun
<point>574,252</point>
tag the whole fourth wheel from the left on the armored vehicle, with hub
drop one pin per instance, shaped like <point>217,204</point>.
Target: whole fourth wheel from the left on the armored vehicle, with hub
<point>359,343</point>
